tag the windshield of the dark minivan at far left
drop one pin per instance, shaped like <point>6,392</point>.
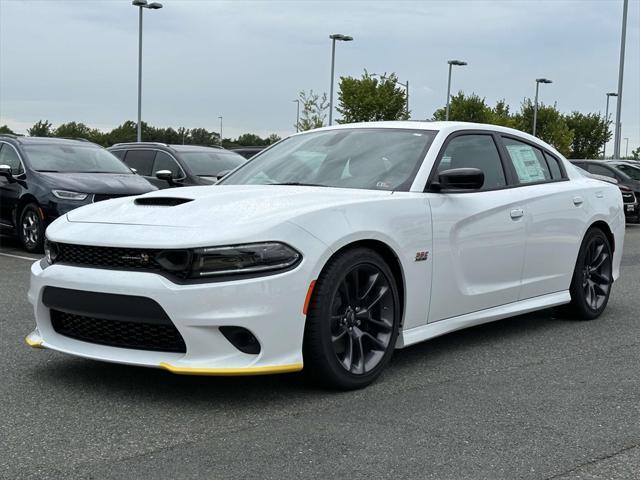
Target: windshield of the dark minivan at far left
<point>73,158</point>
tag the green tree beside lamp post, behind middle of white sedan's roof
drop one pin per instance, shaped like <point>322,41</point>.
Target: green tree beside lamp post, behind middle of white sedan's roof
<point>370,99</point>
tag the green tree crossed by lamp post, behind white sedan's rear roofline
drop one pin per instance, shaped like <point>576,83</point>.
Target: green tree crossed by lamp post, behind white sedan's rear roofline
<point>551,125</point>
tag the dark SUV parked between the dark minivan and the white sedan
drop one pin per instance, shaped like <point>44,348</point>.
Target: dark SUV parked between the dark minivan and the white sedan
<point>177,165</point>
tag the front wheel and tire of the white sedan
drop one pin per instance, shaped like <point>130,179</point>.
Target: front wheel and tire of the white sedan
<point>352,321</point>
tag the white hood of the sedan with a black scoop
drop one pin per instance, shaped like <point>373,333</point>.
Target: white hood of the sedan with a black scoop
<point>226,206</point>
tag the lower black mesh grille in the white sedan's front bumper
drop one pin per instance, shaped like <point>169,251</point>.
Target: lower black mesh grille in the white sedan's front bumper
<point>117,333</point>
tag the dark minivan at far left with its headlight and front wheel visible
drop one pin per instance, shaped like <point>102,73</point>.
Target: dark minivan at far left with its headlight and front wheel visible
<point>43,178</point>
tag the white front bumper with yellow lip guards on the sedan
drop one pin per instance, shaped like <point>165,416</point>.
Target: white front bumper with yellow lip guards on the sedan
<point>270,307</point>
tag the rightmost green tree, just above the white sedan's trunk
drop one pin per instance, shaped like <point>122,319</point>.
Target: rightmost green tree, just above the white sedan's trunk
<point>589,134</point>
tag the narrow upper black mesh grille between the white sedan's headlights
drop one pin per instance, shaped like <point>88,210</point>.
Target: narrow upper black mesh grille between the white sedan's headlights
<point>108,257</point>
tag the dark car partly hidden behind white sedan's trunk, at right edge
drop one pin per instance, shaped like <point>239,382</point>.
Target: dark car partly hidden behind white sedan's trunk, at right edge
<point>627,174</point>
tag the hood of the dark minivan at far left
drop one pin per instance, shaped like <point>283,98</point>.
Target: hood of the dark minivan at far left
<point>108,183</point>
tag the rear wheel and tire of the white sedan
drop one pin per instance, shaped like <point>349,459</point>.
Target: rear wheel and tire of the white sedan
<point>592,277</point>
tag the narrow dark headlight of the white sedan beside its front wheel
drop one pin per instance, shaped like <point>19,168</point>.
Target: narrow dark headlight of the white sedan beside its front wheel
<point>249,258</point>
